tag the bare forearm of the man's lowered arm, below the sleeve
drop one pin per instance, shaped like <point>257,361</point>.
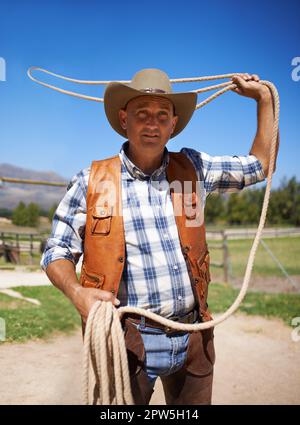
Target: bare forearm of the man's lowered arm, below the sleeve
<point>62,274</point>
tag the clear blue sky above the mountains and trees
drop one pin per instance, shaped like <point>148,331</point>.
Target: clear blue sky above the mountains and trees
<point>98,40</point>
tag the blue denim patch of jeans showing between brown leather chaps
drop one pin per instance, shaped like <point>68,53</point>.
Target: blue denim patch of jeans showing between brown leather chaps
<point>165,354</point>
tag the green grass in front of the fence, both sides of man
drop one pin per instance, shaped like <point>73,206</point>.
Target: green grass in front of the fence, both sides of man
<point>26,321</point>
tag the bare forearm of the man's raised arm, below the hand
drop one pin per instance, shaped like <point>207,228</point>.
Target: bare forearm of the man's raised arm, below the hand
<point>265,122</point>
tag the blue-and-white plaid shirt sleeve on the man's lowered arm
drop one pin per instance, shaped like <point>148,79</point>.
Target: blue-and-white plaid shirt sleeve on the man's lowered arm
<point>68,226</point>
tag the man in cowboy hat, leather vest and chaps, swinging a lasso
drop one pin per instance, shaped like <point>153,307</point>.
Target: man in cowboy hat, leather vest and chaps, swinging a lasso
<point>146,255</point>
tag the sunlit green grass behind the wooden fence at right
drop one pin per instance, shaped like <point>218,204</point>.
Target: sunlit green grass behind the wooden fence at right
<point>287,250</point>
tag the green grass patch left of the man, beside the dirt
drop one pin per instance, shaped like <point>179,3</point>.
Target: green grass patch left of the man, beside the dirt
<point>26,321</point>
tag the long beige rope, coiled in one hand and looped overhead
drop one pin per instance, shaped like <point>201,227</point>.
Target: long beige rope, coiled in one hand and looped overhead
<point>104,345</point>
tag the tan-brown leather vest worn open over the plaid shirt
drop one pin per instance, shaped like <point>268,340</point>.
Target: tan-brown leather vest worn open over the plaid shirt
<point>104,245</point>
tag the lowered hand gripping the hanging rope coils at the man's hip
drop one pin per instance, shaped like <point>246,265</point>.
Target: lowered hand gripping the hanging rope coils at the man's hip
<point>85,298</point>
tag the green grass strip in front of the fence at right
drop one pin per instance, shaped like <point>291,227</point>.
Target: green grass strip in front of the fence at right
<point>283,306</point>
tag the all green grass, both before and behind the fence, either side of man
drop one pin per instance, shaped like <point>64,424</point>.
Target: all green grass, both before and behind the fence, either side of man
<point>56,314</point>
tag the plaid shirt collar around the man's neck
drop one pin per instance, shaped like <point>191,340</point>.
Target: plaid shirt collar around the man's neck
<point>134,172</point>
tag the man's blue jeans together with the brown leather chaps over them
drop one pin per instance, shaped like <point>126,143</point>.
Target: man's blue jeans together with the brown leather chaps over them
<point>184,362</point>
